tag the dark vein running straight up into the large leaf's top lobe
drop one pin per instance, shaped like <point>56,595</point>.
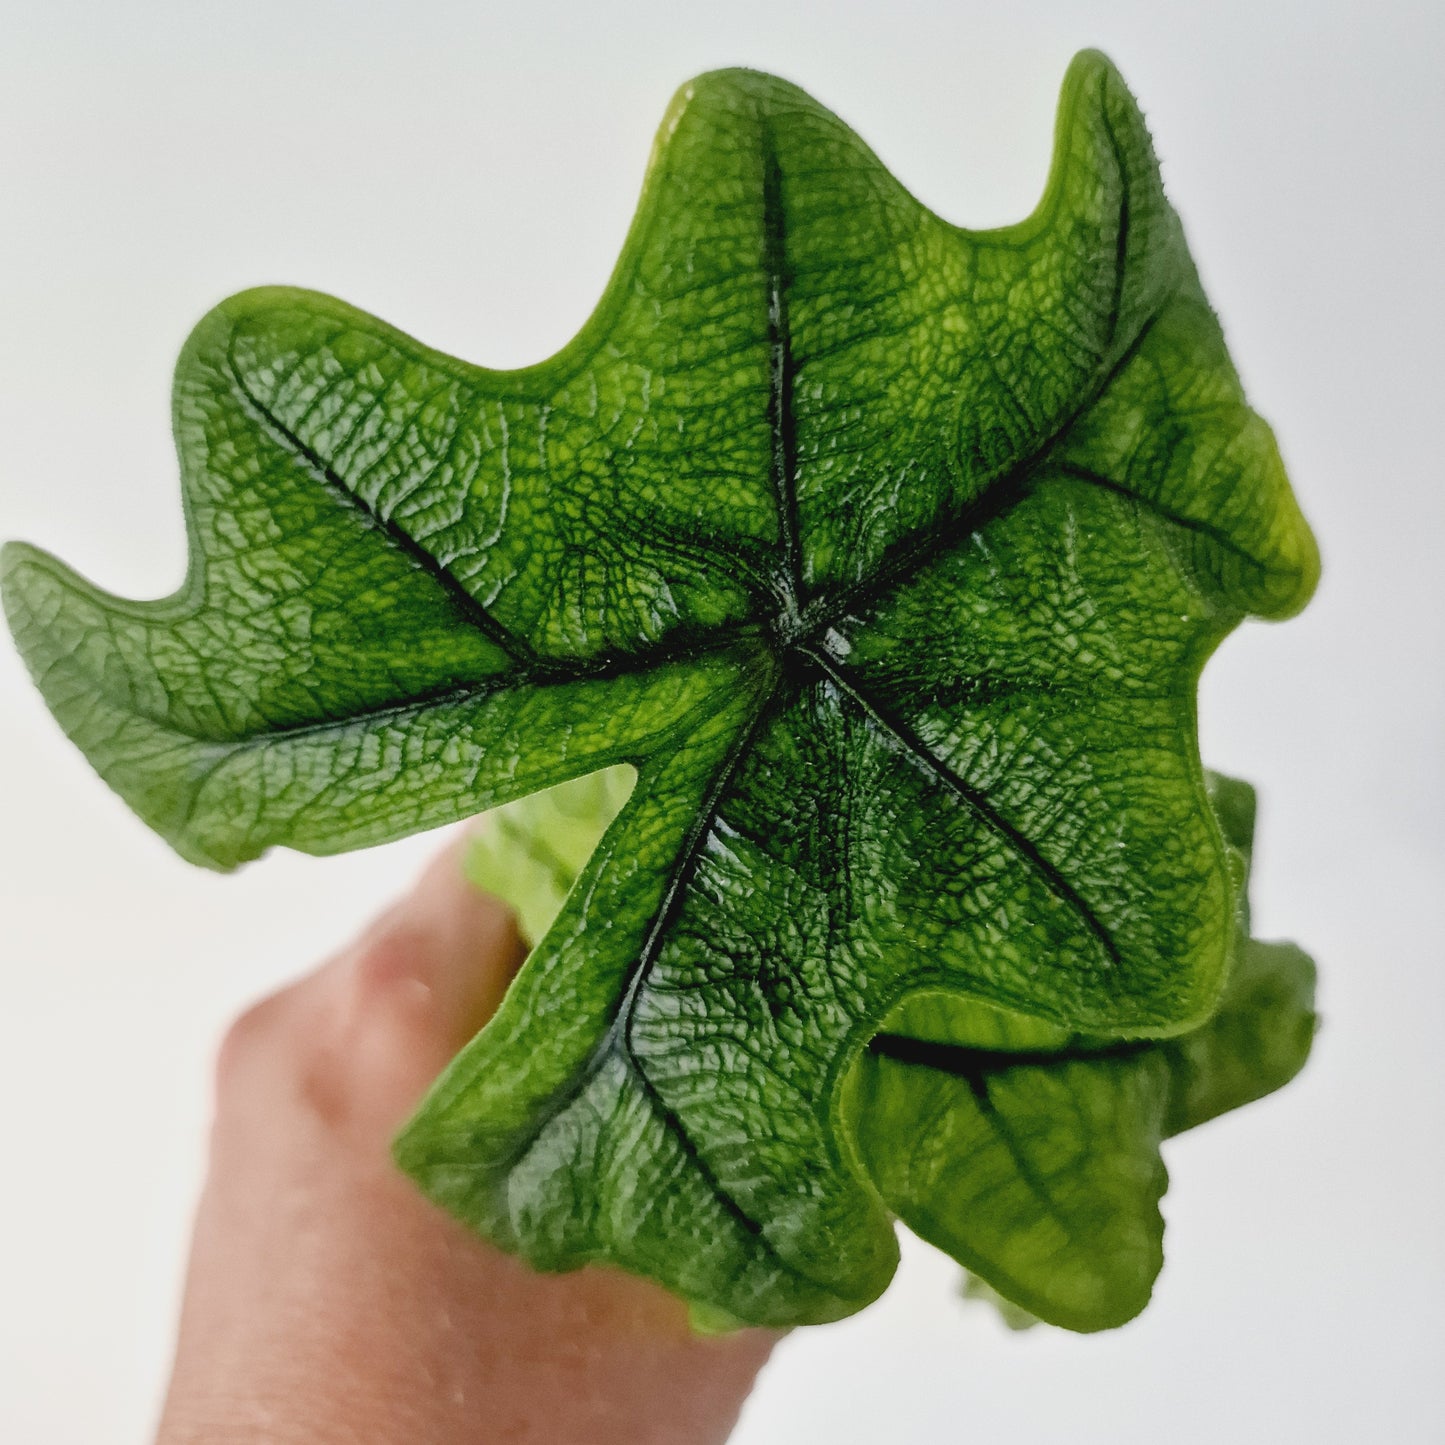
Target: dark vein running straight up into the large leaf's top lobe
<point>781,420</point>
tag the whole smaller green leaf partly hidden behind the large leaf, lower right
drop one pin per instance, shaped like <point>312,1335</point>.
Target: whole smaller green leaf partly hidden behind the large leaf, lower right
<point>1041,1171</point>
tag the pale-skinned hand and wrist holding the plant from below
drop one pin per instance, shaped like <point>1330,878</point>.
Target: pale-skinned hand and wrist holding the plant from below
<point>329,1304</point>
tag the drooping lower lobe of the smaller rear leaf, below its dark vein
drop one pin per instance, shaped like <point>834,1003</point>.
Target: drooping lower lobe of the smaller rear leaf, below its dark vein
<point>1044,1178</point>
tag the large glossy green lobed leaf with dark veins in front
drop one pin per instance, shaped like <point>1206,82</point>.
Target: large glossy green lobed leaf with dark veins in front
<point>887,553</point>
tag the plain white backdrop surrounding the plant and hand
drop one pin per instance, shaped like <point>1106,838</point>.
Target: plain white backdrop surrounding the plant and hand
<point>467,171</point>
